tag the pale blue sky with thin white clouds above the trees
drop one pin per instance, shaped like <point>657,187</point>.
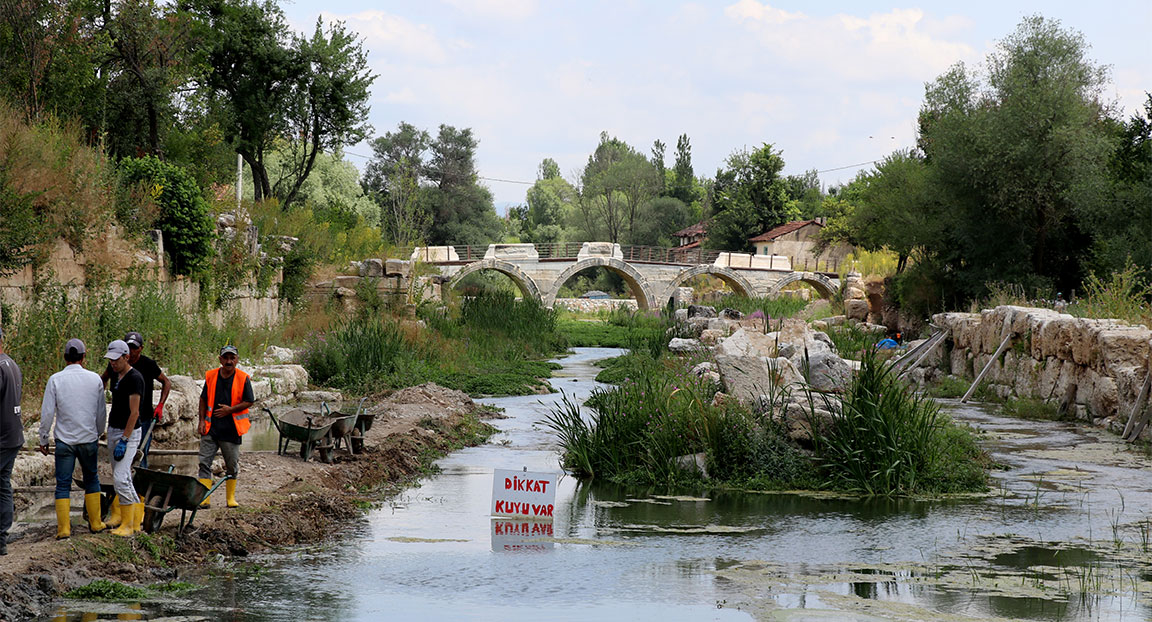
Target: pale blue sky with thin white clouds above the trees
<point>832,85</point>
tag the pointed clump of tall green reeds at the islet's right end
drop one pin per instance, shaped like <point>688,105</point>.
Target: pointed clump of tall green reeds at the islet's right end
<point>890,441</point>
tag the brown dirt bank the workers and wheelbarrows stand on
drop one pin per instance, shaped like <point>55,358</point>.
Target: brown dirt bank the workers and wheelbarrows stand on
<point>284,502</point>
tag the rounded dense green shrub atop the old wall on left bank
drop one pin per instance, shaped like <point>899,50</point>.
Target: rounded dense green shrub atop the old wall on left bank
<point>186,219</point>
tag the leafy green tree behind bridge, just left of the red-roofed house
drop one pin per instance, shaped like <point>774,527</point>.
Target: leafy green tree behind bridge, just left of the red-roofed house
<point>749,199</point>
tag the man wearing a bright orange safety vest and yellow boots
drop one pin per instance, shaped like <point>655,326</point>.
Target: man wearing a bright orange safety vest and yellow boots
<point>225,401</point>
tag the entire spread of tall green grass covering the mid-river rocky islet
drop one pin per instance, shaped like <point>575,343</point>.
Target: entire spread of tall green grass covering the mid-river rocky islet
<point>888,441</point>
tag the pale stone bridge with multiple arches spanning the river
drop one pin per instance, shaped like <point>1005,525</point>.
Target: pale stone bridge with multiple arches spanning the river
<point>654,275</point>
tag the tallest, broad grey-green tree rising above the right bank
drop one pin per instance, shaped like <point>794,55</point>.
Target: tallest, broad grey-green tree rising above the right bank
<point>1018,157</point>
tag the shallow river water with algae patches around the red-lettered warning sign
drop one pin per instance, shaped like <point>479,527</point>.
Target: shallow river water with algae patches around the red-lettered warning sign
<point>1064,536</point>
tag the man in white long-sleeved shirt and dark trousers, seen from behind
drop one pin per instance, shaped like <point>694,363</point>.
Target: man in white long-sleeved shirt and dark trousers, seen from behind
<point>74,398</point>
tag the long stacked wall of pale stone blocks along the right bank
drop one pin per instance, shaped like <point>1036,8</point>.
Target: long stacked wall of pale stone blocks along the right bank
<point>1093,367</point>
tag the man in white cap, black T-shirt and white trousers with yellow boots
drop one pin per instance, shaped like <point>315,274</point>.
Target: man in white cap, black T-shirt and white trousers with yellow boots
<point>125,437</point>
